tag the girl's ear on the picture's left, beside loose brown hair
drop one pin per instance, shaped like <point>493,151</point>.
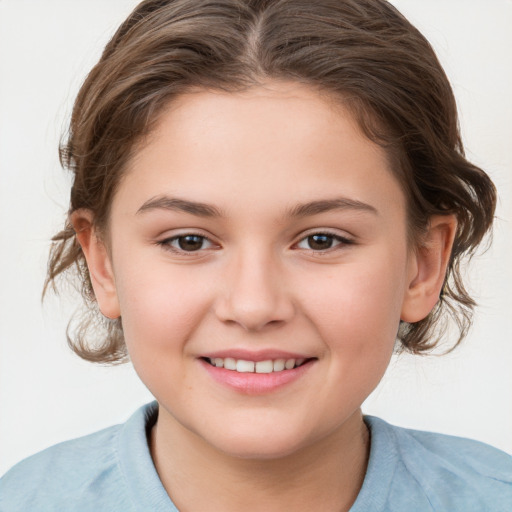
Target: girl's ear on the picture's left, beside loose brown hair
<point>98,262</point>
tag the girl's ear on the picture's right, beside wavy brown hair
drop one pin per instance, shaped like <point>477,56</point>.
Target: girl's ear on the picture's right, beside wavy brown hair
<point>428,268</point>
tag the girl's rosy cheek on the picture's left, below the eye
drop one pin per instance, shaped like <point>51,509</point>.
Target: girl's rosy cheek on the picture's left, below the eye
<point>161,309</point>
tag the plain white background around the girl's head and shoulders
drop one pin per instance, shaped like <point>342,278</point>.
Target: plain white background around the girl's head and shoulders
<point>47,394</point>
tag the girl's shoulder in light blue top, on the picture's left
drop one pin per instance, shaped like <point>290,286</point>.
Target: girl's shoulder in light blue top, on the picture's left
<point>81,474</point>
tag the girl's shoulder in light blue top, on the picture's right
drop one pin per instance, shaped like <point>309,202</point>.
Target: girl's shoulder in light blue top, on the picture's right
<point>448,473</point>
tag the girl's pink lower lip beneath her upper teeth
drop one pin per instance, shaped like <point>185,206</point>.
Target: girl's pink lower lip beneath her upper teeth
<point>256,383</point>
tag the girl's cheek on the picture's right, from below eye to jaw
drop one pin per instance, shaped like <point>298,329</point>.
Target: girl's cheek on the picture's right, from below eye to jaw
<point>357,318</point>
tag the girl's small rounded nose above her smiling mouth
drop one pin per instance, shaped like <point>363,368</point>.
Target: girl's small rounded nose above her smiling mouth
<point>254,293</point>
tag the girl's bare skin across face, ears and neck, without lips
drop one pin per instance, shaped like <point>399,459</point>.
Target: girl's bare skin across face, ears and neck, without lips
<point>258,284</point>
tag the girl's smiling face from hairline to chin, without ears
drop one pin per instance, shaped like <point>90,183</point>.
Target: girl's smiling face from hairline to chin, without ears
<point>254,231</point>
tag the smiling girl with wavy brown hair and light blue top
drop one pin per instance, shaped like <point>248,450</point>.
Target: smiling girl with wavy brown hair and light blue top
<point>269,197</point>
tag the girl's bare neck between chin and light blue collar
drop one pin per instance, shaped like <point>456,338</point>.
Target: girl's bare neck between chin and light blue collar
<point>326,475</point>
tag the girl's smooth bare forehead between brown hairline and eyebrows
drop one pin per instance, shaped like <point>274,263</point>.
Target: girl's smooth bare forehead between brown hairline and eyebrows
<point>282,140</point>
